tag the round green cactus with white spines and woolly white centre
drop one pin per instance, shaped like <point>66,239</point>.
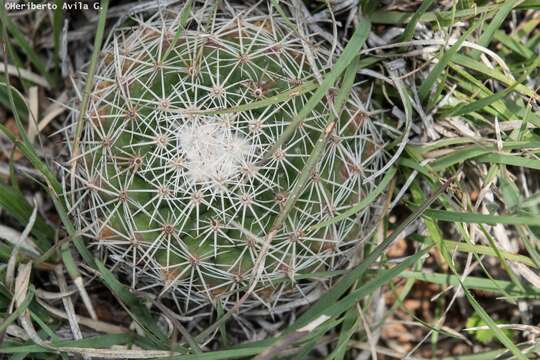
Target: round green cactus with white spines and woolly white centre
<point>179,180</point>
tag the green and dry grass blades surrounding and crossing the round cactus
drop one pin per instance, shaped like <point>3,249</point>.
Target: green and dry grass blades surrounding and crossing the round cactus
<point>446,196</point>
